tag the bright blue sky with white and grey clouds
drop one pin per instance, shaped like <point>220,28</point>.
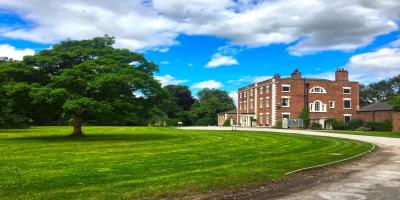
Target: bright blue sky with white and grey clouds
<point>220,44</point>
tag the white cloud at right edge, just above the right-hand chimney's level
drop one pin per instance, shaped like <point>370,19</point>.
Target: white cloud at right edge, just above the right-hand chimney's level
<point>376,65</point>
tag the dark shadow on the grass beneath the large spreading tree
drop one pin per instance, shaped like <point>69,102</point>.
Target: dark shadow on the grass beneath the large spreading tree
<point>96,138</point>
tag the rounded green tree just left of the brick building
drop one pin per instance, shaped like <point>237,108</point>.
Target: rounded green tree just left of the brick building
<point>210,103</point>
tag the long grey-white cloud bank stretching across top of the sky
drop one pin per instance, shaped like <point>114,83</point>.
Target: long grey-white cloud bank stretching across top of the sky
<point>307,26</point>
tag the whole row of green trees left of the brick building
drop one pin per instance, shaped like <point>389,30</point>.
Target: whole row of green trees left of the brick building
<point>91,82</point>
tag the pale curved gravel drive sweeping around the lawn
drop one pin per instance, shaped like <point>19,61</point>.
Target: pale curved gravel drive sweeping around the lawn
<point>377,181</point>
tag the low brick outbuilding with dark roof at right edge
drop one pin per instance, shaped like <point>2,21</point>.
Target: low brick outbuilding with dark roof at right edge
<point>380,112</point>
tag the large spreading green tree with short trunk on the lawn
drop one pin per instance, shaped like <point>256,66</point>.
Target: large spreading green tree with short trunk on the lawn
<point>88,80</point>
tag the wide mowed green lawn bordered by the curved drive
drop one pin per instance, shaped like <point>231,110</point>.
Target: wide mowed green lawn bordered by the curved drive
<point>142,162</point>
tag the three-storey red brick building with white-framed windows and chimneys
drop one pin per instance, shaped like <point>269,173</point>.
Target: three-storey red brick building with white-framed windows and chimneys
<point>267,102</point>
